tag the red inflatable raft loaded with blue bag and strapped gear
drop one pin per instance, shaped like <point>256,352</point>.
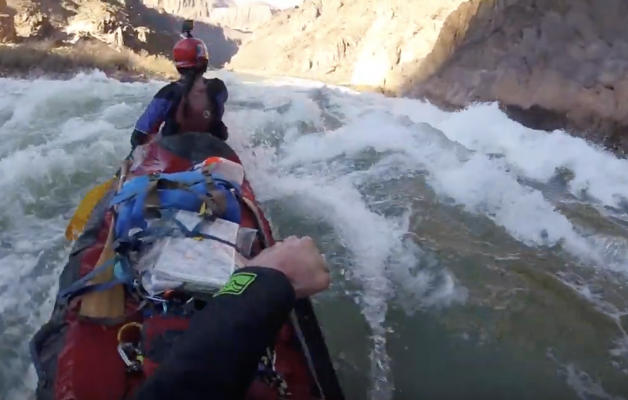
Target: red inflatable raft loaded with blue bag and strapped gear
<point>114,308</point>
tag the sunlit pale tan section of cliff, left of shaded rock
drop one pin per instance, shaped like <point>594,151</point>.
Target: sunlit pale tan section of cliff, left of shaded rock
<point>365,42</point>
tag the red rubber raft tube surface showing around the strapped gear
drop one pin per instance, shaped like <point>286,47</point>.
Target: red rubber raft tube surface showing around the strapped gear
<point>79,358</point>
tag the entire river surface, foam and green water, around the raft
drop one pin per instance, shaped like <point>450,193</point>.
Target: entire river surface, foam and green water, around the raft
<point>472,257</point>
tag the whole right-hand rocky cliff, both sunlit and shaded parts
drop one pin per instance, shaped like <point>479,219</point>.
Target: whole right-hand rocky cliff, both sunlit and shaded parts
<point>550,63</point>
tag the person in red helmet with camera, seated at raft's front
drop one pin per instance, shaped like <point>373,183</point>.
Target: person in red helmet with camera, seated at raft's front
<point>191,104</point>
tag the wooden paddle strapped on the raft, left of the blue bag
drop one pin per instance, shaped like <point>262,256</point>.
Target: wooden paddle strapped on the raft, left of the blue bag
<point>110,303</point>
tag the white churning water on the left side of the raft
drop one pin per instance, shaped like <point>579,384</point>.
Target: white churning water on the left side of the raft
<point>58,139</point>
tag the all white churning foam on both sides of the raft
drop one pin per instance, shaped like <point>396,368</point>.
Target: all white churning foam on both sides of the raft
<point>60,138</point>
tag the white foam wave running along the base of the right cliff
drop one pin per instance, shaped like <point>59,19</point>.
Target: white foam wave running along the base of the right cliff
<point>534,154</point>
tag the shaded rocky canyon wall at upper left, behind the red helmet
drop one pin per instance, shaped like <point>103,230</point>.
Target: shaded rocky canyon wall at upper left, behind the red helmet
<point>119,23</point>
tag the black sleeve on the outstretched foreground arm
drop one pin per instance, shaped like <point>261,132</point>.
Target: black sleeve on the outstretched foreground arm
<point>218,356</point>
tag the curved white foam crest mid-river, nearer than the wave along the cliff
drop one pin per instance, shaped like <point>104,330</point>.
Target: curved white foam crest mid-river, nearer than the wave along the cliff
<point>480,184</point>
